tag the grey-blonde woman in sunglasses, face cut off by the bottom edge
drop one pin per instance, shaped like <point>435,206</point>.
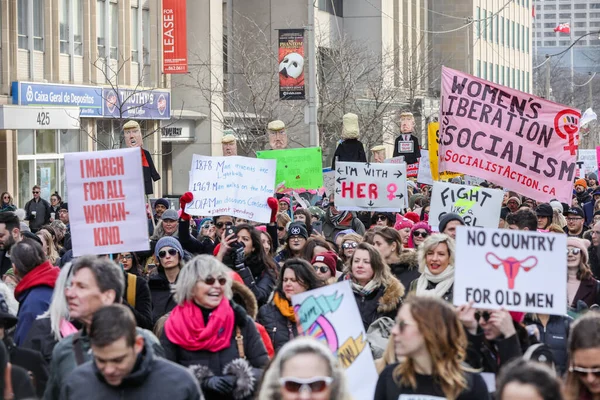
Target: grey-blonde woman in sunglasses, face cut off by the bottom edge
<point>304,367</point>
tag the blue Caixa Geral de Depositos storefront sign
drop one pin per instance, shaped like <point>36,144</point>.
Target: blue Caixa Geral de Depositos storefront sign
<point>87,98</point>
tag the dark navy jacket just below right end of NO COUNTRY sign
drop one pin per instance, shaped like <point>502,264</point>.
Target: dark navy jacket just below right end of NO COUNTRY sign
<point>555,335</point>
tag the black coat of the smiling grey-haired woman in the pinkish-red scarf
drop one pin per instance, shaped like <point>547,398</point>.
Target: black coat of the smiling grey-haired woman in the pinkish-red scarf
<point>254,350</point>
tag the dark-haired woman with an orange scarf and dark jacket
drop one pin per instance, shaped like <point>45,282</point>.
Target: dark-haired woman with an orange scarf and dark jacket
<point>277,316</point>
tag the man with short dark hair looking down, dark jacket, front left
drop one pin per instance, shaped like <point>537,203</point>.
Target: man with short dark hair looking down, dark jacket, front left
<point>125,366</point>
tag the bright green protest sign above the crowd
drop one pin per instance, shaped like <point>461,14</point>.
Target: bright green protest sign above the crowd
<point>297,168</point>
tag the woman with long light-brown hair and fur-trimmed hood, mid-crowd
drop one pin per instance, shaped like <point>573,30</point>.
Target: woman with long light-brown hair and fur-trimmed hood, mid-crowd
<point>376,291</point>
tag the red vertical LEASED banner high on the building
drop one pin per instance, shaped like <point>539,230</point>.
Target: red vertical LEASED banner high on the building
<point>174,37</point>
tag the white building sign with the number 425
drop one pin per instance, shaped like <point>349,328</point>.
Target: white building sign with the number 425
<point>23,117</point>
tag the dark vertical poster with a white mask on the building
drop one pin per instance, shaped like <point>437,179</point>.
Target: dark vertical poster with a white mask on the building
<point>291,64</point>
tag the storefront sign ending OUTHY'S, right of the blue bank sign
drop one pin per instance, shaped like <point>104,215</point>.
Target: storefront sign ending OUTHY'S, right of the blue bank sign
<point>137,103</point>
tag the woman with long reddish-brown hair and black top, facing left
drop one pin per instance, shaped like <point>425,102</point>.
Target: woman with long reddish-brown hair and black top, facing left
<point>432,341</point>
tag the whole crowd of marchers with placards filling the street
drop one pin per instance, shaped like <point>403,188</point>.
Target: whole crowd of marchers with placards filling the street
<point>217,306</point>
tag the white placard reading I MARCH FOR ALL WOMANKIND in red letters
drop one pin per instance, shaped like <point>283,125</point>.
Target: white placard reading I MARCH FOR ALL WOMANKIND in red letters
<point>106,201</point>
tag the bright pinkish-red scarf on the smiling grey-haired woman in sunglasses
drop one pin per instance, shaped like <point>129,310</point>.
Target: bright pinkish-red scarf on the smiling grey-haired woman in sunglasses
<point>186,328</point>
